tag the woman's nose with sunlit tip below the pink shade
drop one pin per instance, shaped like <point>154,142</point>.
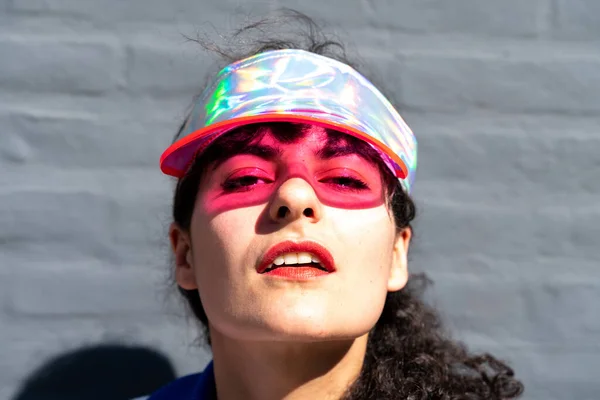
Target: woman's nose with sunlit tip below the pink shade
<point>295,199</point>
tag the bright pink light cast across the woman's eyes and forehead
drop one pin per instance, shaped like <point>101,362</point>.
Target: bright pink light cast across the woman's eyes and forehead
<point>347,181</point>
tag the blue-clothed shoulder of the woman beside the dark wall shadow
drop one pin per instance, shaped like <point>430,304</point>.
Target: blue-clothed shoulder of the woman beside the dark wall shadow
<point>199,386</point>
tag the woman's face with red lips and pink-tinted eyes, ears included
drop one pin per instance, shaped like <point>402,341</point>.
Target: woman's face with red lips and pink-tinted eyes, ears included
<point>306,192</point>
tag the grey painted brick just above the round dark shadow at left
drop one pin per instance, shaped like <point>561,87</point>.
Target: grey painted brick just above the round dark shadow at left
<point>84,289</point>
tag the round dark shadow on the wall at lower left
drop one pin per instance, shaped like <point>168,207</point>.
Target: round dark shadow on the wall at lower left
<point>107,371</point>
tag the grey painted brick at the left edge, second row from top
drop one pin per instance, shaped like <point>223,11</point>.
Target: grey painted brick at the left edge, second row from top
<point>50,66</point>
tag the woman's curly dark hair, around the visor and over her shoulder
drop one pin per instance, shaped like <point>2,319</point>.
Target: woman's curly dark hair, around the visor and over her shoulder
<point>409,355</point>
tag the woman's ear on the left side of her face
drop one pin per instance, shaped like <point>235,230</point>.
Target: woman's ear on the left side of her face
<point>184,260</point>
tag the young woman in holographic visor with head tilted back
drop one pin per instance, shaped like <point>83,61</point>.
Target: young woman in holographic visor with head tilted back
<point>292,224</point>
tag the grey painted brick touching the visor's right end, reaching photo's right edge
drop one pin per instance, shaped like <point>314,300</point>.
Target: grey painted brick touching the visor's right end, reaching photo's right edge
<point>544,159</point>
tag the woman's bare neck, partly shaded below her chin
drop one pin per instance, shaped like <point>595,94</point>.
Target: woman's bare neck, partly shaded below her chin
<point>285,370</point>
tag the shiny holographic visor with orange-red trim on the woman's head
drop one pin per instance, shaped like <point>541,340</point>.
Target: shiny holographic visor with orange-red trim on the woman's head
<point>295,86</point>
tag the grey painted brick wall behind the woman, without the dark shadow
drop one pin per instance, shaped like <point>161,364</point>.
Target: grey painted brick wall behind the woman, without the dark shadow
<point>504,97</point>
